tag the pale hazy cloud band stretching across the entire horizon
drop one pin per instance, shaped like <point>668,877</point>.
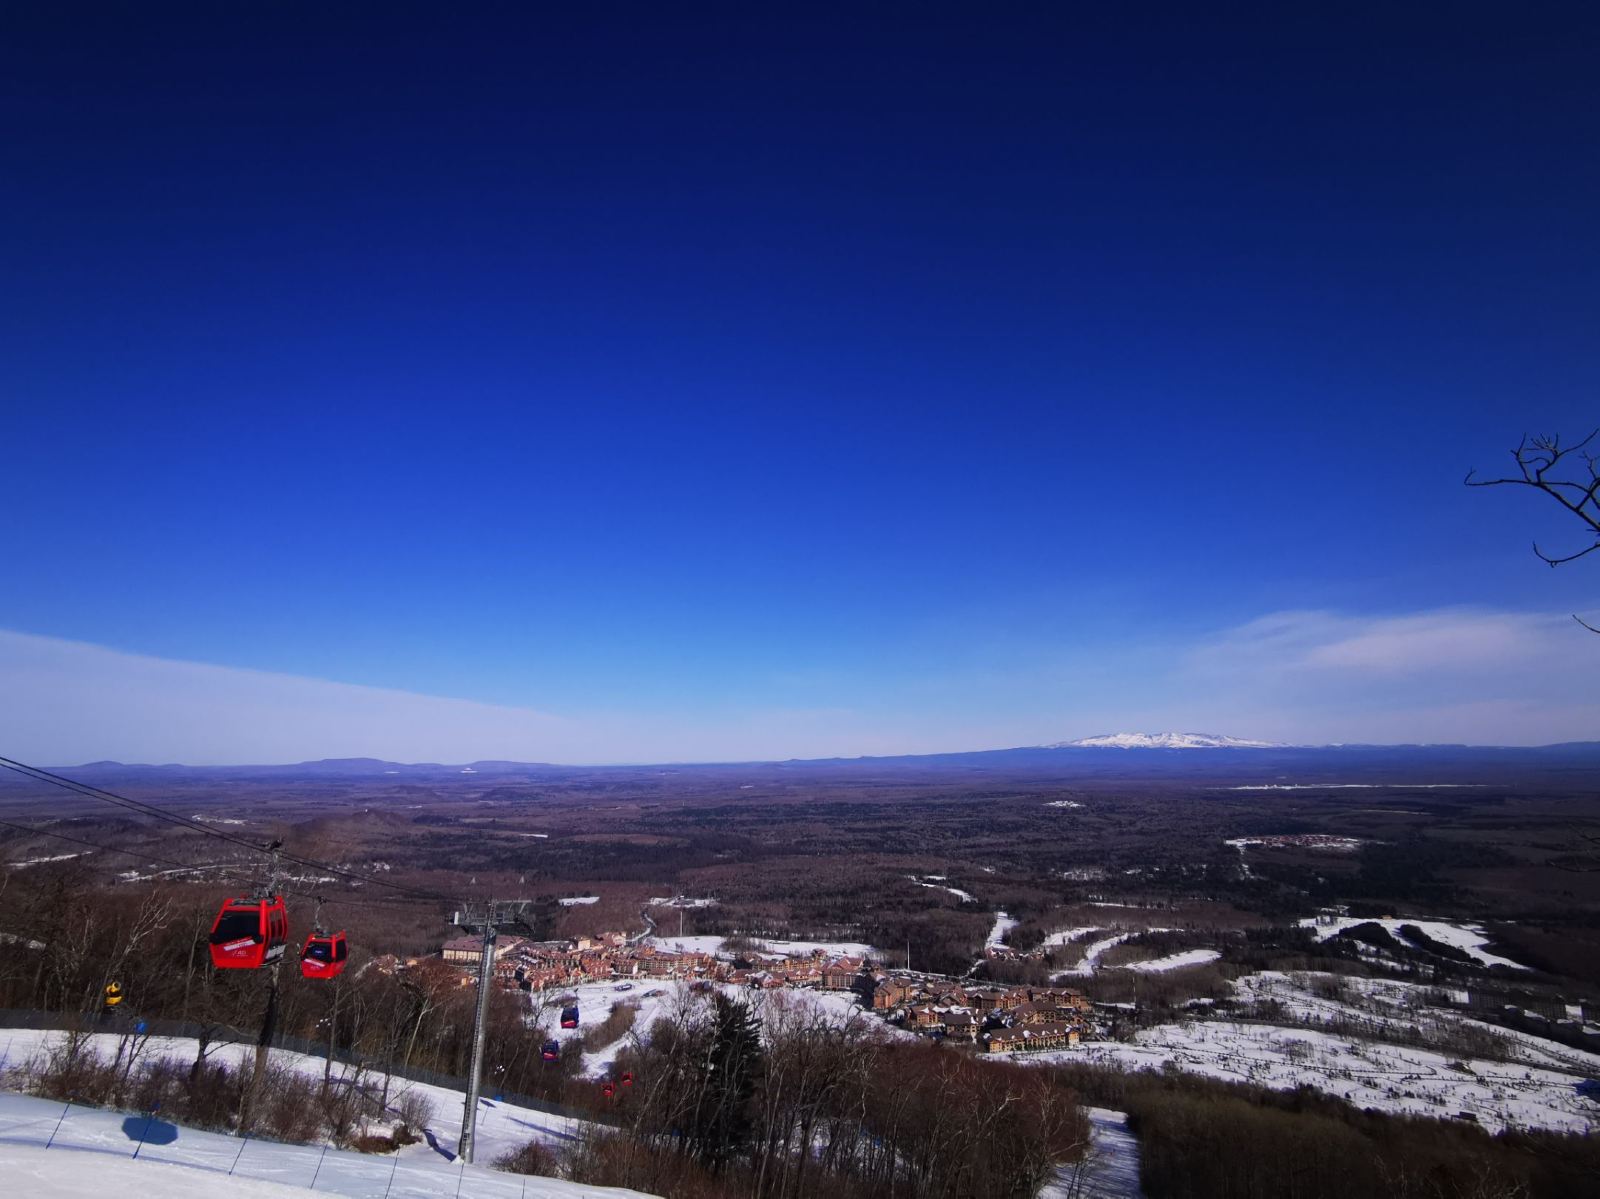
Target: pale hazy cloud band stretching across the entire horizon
<point>1450,675</point>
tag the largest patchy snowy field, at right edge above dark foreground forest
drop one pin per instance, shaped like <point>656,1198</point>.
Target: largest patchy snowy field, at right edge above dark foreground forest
<point>1535,1091</point>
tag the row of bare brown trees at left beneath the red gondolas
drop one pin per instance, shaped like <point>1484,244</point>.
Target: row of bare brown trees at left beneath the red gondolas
<point>68,939</point>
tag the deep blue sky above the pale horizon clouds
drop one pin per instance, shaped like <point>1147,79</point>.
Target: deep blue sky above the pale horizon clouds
<point>897,379</point>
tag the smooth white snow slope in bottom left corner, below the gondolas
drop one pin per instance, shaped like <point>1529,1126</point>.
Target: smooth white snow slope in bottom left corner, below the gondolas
<point>415,1173</point>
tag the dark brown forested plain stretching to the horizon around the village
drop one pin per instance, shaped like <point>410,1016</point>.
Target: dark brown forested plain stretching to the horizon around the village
<point>838,852</point>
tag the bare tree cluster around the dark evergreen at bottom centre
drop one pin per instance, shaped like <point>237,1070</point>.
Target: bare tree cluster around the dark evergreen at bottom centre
<point>794,1104</point>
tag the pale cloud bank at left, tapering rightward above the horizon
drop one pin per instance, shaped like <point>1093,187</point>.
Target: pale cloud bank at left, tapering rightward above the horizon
<point>66,702</point>
